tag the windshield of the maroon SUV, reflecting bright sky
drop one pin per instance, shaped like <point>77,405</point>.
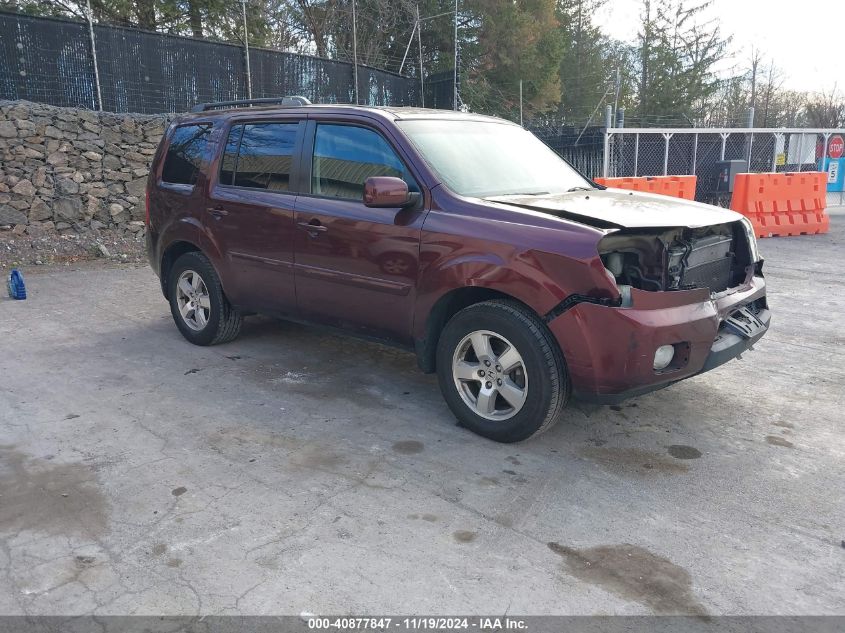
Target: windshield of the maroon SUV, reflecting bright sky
<point>484,159</point>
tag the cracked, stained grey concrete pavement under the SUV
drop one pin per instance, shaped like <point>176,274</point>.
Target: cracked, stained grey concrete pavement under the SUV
<point>295,470</point>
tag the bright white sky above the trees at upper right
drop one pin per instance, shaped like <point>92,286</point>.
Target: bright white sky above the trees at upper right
<point>806,40</point>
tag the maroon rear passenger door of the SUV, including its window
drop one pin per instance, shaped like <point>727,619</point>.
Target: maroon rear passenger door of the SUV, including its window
<point>250,212</point>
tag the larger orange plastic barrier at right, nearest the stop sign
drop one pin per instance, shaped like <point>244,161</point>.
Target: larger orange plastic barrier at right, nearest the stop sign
<point>783,204</point>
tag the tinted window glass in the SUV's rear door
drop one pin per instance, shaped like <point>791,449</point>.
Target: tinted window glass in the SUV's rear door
<point>259,156</point>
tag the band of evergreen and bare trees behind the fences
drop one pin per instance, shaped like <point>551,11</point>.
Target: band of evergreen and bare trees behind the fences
<point>567,66</point>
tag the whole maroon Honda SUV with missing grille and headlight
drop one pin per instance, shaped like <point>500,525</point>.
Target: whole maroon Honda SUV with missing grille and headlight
<point>463,237</point>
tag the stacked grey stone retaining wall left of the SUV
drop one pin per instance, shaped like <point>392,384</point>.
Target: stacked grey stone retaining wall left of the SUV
<point>74,170</point>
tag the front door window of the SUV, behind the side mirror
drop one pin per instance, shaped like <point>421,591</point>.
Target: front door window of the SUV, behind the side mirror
<point>345,156</point>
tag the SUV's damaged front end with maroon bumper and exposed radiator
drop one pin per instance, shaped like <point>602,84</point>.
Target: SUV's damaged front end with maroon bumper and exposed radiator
<point>690,299</point>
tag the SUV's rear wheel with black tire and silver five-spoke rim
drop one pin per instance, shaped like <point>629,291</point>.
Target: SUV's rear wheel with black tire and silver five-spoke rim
<point>217,321</point>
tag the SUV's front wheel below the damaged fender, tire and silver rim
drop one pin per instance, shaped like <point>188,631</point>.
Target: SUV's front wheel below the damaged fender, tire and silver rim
<point>537,386</point>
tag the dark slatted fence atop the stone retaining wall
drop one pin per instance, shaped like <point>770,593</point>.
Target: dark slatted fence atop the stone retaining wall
<point>69,63</point>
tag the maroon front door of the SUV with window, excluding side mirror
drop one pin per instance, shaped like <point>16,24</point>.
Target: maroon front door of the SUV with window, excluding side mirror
<point>356,267</point>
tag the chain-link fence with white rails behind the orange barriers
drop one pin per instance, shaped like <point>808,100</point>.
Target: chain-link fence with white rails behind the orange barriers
<point>712,154</point>
